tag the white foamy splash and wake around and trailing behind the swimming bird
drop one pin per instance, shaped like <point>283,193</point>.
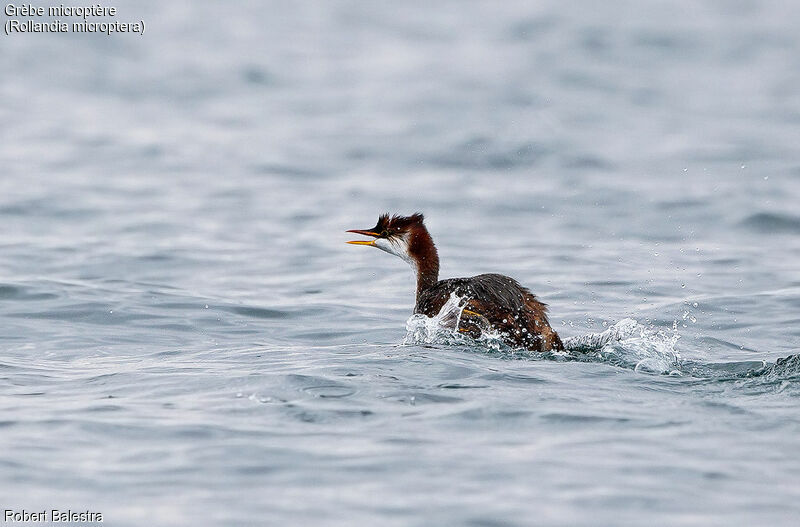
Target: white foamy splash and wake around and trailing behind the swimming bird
<point>626,344</point>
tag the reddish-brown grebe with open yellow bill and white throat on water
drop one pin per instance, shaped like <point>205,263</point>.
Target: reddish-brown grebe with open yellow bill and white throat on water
<point>490,301</point>
